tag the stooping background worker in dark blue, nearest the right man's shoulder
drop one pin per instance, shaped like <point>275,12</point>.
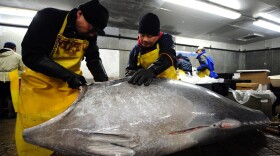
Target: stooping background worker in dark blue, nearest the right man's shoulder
<point>184,64</point>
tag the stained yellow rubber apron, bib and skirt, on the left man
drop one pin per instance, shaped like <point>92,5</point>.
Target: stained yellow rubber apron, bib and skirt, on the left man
<point>43,97</point>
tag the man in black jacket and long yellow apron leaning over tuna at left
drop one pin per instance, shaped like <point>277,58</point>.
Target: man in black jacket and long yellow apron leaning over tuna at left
<point>54,46</point>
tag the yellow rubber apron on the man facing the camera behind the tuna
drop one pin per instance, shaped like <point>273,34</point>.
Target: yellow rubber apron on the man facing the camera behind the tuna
<point>147,59</point>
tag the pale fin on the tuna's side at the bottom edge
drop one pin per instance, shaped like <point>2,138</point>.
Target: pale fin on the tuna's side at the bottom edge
<point>101,148</point>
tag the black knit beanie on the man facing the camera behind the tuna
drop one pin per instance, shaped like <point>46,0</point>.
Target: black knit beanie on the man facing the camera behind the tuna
<point>149,24</point>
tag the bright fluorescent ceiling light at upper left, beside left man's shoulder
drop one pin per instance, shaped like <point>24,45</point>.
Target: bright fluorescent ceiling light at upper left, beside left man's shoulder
<point>17,12</point>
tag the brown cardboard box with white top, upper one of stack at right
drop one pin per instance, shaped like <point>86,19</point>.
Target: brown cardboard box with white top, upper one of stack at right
<point>256,76</point>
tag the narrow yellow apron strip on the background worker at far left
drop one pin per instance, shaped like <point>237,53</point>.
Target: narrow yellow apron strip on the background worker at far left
<point>14,86</point>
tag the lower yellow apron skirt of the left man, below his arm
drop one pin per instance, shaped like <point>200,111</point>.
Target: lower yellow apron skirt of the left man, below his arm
<point>41,98</point>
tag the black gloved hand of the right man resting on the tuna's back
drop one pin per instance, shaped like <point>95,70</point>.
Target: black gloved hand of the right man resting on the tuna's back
<point>142,76</point>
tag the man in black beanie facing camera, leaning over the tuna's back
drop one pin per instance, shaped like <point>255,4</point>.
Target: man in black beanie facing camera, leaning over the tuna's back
<point>154,55</point>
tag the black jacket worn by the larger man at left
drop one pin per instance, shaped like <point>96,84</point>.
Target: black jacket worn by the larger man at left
<point>39,40</point>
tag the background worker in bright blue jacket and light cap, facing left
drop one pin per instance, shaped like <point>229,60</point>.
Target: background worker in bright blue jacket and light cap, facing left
<point>206,67</point>
